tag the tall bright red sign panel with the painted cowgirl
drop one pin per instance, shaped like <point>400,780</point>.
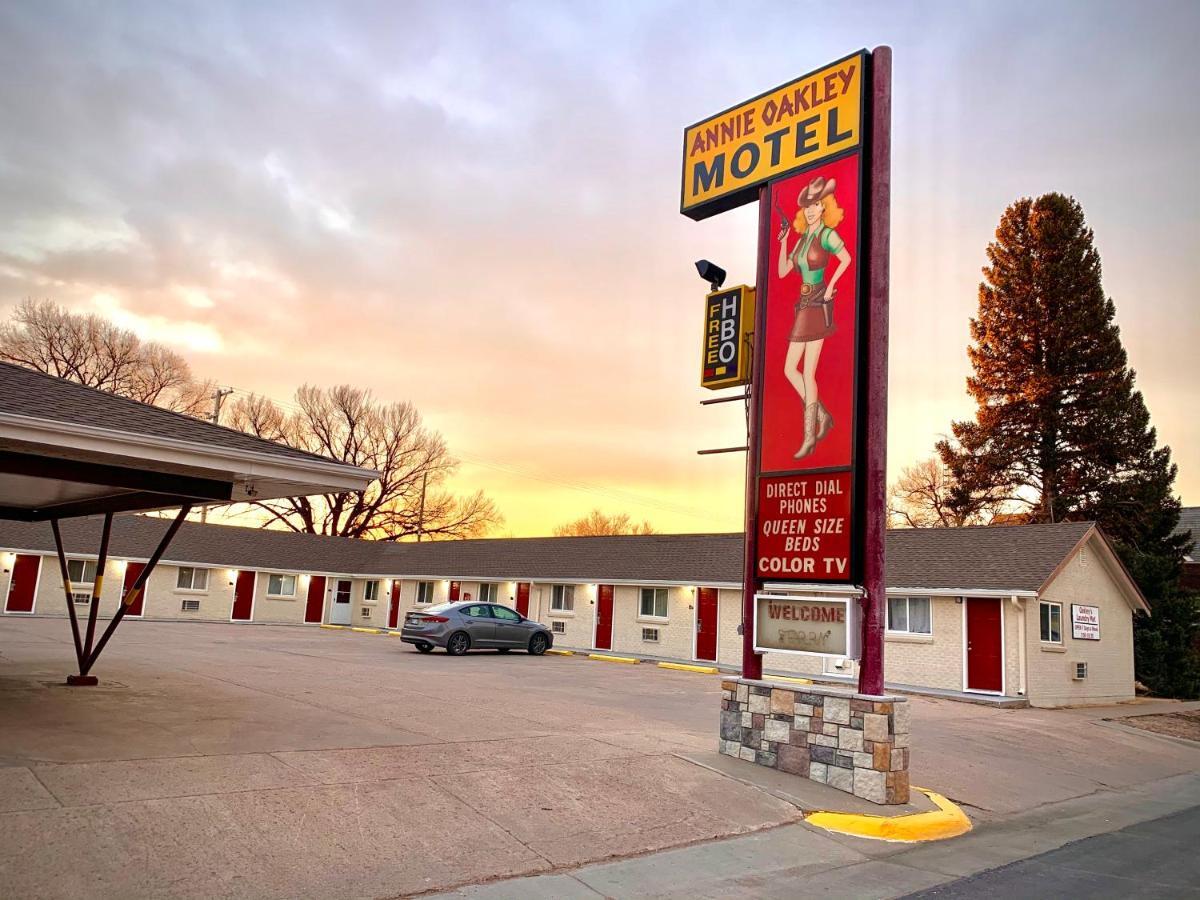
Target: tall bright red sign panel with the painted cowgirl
<point>812,317</point>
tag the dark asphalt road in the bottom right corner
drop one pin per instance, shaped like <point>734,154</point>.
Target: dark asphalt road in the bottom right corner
<point>1159,859</point>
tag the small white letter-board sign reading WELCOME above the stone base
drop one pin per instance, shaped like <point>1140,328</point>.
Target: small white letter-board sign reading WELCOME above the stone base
<point>811,626</point>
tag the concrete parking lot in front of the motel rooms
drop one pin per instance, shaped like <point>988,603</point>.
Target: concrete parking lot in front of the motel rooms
<point>255,761</point>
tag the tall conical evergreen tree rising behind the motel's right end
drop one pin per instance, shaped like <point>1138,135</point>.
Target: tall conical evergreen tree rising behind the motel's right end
<point>1060,430</point>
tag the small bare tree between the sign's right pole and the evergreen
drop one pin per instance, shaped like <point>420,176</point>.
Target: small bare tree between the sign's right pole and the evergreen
<point>926,496</point>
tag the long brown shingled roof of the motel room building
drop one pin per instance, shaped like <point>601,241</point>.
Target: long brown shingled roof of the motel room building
<point>1019,559</point>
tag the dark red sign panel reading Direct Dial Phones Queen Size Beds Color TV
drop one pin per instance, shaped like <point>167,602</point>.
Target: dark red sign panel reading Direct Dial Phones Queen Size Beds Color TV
<point>805,527</point>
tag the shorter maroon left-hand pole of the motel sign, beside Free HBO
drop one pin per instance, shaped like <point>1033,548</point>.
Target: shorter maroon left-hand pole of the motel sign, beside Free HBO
<point>752,662</point>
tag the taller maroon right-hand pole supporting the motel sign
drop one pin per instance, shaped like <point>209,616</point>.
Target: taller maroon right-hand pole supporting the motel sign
<point>871,673</point>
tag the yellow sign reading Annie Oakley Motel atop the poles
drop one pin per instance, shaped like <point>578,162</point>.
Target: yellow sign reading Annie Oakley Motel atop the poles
<point>728,157</point>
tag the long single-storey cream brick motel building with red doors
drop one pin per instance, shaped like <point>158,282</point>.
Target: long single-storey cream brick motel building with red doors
<point>1015,615</point>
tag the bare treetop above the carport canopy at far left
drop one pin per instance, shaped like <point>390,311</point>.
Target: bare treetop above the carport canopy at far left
<point>94,352</point>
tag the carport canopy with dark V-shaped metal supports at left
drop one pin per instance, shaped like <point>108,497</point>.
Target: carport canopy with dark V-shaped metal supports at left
<point>68,451</point>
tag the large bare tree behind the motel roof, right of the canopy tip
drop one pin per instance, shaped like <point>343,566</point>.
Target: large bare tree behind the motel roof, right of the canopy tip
<point>349,425</point>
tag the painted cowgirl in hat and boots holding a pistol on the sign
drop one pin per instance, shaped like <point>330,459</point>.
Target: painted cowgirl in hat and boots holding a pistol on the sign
<point>817,245</point>
